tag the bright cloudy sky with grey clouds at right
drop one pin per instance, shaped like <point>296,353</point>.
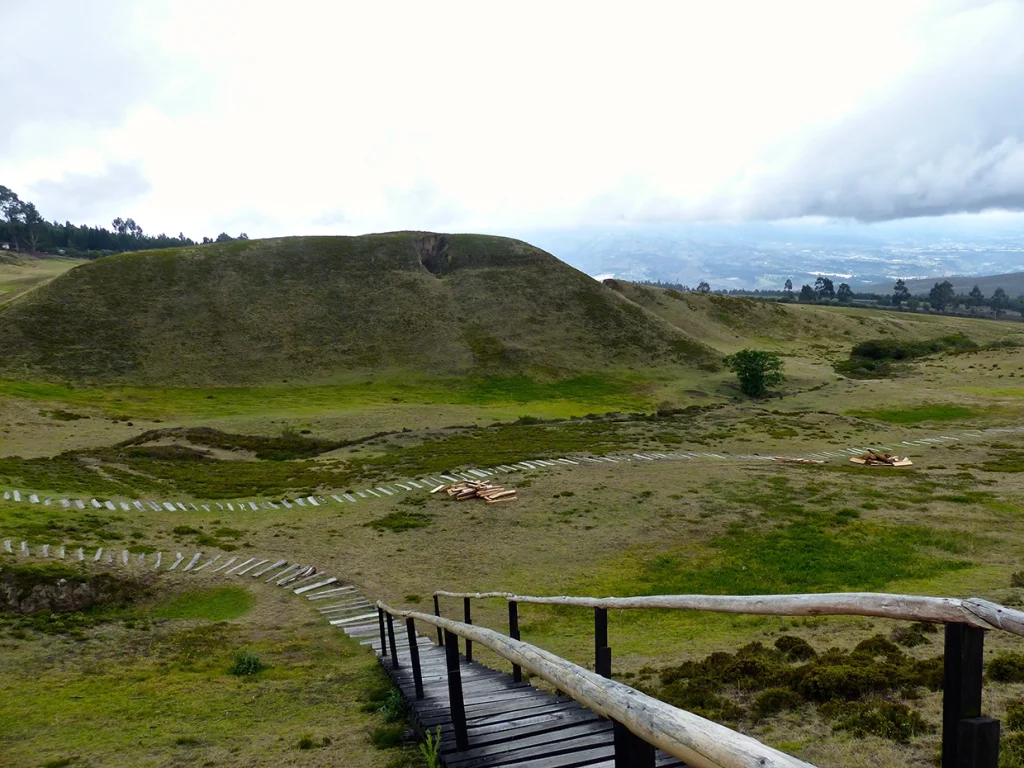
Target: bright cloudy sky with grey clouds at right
<point>351,117</point>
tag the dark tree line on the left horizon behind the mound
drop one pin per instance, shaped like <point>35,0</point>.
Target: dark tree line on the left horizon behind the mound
<point>24,229</point>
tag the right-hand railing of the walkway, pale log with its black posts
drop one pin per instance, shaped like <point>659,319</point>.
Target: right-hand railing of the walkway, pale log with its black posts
<point>968,739</point>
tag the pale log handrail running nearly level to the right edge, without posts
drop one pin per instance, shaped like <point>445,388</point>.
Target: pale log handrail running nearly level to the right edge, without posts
<point>973,612</point>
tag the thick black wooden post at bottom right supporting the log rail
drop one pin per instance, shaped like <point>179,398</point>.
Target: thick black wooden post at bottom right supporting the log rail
<point>969,741</point>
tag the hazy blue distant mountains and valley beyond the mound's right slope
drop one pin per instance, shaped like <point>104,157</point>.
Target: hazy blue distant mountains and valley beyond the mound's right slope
<point>764,255</point>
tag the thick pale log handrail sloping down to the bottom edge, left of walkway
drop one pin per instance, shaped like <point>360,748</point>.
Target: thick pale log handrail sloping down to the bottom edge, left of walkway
<point>694,740</point>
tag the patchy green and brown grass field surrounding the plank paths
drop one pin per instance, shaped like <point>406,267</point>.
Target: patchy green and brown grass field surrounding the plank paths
<point>950,526</point>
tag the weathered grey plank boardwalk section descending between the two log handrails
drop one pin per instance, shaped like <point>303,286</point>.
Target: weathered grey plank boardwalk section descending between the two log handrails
<point>509,723</point>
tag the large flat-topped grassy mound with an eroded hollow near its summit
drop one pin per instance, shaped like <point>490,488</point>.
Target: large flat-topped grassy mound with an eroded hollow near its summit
<point>308,310</point>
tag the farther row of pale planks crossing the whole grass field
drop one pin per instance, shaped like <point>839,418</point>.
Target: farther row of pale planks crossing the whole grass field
<point>430,483</point>
